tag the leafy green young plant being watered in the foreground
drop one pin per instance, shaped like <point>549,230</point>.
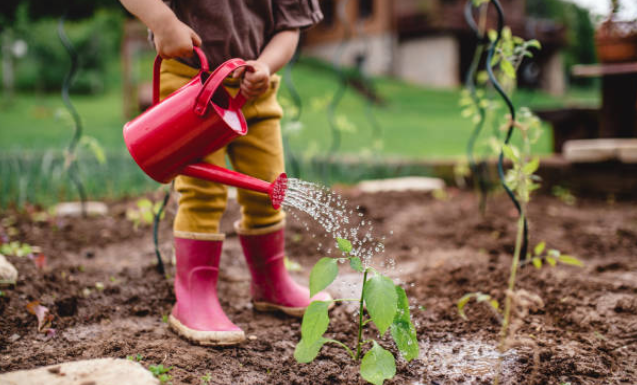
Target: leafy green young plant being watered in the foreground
<point>381,302</point>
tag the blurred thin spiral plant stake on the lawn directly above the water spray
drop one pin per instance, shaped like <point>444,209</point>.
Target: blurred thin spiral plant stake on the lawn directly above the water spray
<point>340,91</point>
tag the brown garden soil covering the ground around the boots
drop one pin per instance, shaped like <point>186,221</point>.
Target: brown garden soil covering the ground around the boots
<point>582,329</point>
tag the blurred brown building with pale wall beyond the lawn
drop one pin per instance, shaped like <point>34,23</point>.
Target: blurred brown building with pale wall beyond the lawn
<point>427,42</point>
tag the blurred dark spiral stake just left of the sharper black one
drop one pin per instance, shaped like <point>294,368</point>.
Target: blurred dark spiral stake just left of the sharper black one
<point>478,171</point>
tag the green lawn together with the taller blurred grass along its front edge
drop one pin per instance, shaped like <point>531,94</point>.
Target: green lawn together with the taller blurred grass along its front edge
<point>414,123</point>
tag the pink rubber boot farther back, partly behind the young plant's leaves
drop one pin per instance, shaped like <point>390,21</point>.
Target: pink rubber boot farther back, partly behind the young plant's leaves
<point>272,287</point>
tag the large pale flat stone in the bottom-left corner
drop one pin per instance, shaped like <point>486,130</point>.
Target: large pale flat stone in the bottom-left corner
<point>103,371</point>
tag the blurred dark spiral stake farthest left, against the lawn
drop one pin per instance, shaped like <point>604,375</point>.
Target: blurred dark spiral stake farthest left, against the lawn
<point>70,162</point>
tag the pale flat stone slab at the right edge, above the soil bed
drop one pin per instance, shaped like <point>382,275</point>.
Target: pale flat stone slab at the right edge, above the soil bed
<point>600,150</point>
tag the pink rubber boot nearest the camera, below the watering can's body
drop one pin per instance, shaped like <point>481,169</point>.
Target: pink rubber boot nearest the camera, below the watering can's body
<point>197,316</point>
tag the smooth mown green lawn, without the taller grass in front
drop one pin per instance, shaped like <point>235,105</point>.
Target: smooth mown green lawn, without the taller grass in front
<point>415,122</point>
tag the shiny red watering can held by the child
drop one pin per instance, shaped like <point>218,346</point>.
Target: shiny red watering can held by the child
<point>171,137</point>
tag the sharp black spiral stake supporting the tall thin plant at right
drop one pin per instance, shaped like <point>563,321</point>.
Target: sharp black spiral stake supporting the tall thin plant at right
<point>511,123</point>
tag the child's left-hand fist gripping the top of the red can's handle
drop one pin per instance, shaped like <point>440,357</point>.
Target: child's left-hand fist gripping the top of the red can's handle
<point>175,39</point>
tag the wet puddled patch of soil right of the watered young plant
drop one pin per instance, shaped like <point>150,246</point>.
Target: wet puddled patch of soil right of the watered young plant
<point>464,362</point>
